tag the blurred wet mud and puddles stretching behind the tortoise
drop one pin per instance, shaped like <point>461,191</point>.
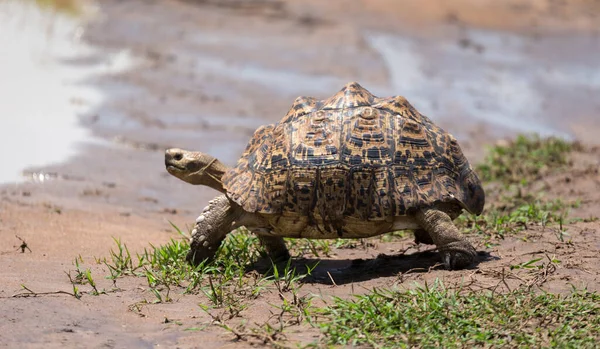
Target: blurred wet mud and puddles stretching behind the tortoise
<point>92,92</point>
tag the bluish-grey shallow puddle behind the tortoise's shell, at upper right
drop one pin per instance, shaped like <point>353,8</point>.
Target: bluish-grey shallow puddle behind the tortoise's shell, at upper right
<point>510,82</point>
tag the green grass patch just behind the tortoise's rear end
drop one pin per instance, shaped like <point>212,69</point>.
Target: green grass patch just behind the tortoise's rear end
<point>507,172</point>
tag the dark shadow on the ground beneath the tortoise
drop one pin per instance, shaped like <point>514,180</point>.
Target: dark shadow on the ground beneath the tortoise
<point>345,271</point>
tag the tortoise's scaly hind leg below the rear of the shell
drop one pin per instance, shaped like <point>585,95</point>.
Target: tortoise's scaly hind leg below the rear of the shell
<point>456,251</point>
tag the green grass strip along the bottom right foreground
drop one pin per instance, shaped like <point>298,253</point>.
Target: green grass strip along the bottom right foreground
<point>437,317</point>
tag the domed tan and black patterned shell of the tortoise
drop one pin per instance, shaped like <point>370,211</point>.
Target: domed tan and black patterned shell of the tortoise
<point>352,155</point>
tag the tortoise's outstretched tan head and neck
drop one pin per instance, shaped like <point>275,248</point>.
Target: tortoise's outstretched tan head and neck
<point>195,168</point>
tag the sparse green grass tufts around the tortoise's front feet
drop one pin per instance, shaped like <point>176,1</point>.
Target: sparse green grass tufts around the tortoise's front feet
<point>224,282</point>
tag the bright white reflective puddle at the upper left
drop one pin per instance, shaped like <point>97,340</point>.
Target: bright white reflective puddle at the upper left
<point>44,68</point>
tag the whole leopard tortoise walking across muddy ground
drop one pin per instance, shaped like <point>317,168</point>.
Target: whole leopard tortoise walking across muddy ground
<point>351,166</point>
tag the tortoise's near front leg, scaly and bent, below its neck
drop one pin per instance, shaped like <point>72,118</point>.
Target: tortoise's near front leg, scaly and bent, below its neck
<point>216,221</point>
